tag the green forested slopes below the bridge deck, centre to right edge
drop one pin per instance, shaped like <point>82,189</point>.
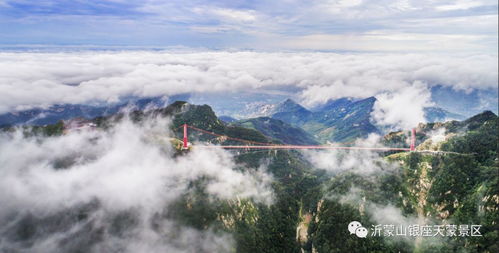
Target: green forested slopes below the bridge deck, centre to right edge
<point>419,189</point>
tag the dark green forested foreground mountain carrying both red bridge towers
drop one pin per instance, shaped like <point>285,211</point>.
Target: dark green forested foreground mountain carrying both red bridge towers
<point>440,188</point>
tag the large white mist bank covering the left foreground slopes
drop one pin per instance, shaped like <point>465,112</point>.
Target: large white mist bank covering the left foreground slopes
<point>127,169</point>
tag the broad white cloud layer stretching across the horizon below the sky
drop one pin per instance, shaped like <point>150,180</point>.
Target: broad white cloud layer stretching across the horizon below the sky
<point>29,80</point>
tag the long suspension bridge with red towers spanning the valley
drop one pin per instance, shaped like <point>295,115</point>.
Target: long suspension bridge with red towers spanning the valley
<point>266,145</point>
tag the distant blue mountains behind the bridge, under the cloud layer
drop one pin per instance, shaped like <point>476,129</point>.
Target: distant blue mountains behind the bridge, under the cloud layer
<point>340,120</point>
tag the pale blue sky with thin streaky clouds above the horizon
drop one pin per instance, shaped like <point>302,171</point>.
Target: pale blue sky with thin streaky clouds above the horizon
<point>460,26</point>
